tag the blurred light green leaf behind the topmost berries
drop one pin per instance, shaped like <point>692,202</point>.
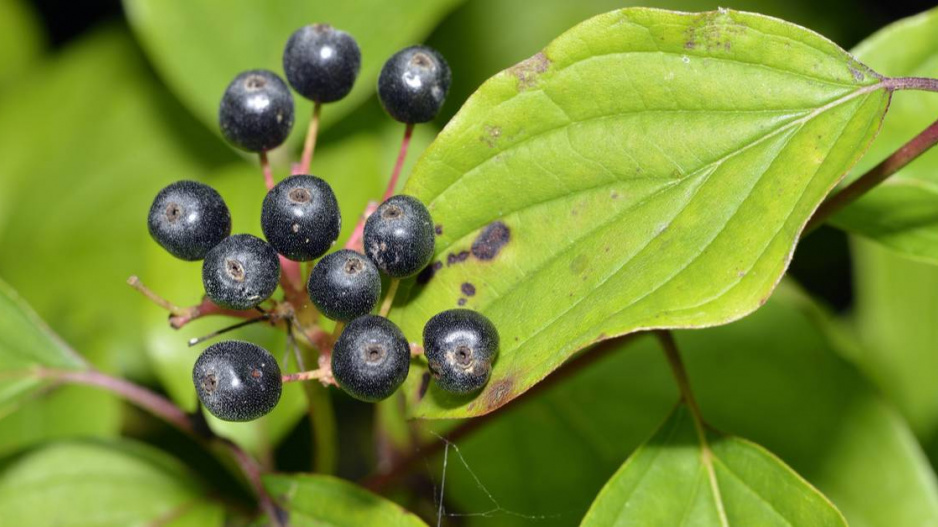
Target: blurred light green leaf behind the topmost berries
<point>200,45</point>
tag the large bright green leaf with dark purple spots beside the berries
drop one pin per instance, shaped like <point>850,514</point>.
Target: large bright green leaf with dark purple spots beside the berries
<point>647,169</point>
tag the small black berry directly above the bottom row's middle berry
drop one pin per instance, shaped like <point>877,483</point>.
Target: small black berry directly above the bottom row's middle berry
<point>344,285</point>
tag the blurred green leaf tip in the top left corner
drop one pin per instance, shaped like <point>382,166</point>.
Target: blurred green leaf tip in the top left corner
<point>21,40</point>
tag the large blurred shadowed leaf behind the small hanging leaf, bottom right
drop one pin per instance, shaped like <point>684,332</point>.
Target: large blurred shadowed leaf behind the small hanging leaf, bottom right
<point>775,378</point>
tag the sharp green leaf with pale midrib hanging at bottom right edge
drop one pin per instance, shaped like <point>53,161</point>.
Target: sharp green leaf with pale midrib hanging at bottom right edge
<point>720,480</point>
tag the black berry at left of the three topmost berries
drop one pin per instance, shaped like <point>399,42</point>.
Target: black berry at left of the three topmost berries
<point>256,112</point>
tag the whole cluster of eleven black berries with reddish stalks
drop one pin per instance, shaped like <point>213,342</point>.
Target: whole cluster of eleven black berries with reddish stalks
<point>368,355</point>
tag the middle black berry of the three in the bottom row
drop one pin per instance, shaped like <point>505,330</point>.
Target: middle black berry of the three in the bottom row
<point>371,358</point>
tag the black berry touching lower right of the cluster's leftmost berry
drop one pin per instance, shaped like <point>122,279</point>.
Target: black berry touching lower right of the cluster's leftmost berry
<point>240,272</point>
